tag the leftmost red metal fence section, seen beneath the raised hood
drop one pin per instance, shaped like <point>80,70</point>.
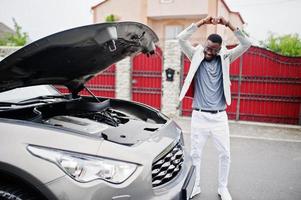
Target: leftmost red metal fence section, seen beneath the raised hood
<point>101,85</point>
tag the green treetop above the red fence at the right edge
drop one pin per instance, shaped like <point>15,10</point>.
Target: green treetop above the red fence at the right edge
<point>287,45</point>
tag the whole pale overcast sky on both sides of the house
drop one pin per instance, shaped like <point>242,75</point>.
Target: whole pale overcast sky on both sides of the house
<point>40,18</point>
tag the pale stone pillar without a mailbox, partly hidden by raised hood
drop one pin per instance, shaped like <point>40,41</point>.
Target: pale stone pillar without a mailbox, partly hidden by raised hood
<point>123,79</point>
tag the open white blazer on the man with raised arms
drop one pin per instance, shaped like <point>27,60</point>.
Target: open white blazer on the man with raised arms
<point>196,55</point>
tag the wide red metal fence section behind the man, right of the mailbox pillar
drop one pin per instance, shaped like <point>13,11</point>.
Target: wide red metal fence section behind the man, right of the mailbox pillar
<point>266,87</point>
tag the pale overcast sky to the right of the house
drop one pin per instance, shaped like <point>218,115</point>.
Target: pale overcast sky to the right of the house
<point>263,16</point>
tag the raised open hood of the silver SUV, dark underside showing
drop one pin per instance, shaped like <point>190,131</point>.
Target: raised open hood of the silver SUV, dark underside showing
<point>74,56</point>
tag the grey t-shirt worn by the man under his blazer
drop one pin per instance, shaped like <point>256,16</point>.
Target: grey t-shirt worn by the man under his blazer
<point>209,91</point>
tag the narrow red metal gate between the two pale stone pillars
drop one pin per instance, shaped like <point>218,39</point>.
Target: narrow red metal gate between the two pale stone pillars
<point>147,79</point>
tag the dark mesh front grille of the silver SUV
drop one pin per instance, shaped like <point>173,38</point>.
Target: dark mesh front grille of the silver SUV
<point>168,166</point>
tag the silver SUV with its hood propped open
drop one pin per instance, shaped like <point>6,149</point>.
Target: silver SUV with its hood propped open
<point>55,146</point>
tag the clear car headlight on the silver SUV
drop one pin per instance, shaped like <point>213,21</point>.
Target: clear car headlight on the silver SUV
<point>84,168</point>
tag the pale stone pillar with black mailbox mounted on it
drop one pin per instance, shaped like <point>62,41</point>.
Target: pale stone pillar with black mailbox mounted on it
<point>170,96</point>
